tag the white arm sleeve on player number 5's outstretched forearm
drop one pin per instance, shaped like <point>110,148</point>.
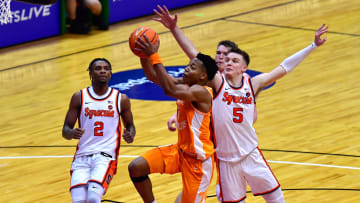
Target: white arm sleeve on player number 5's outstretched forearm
<point>292,61</point>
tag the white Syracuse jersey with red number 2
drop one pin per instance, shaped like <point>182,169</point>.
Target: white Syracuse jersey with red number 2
<point>99,117</point>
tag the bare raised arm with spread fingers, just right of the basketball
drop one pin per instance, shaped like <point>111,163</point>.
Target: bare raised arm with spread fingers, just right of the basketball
<point>170,22</point>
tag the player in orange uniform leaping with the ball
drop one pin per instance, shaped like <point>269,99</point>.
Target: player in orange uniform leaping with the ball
<point>193,154</point>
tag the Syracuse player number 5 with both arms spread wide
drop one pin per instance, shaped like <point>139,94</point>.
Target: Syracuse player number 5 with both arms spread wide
<point>240,161</point>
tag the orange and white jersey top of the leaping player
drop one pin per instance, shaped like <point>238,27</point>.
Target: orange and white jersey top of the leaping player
<point>194,135</point>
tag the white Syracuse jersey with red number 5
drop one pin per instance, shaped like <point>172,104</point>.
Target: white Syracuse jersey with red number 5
<point>233,116</point>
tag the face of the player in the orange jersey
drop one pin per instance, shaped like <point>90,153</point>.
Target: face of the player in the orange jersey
<point>193,72</point>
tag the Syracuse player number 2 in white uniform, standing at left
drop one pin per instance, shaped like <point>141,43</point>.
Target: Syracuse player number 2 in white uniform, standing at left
<point>98,110</point>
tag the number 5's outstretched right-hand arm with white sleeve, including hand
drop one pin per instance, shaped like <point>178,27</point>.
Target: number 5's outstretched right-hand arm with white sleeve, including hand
<point>290,63</point>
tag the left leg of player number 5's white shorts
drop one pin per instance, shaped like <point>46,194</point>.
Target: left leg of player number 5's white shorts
<point>232,182</point>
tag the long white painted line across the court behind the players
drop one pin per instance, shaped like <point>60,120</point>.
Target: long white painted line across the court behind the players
<point>134,156</point>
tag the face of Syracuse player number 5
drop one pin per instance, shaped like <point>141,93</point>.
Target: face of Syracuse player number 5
<point>235,65</point>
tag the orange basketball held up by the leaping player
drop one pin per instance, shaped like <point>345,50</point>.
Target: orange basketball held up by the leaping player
<point>140,32</point>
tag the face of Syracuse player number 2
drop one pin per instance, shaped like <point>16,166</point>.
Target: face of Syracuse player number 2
<point>101,72</point>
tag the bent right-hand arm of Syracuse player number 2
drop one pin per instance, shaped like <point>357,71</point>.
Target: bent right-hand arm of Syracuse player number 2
<point>127,119</point>
